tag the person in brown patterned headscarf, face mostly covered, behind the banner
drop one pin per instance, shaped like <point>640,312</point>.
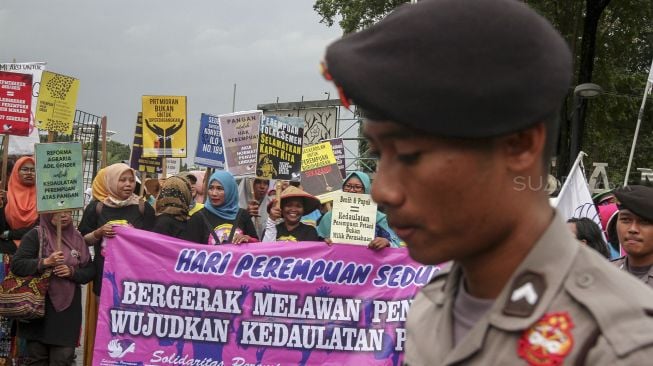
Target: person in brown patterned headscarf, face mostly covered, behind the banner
<point>172,207</point>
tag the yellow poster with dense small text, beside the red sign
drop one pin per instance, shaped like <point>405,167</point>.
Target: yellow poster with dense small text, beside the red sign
<point>56,104</point>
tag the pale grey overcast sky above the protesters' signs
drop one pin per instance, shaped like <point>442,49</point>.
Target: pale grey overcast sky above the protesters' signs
<point>123,49</point>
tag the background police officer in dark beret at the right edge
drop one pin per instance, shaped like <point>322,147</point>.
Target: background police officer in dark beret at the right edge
<point>635,231</point>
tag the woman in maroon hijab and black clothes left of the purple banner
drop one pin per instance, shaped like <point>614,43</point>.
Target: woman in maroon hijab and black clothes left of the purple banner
<point>52,339</point>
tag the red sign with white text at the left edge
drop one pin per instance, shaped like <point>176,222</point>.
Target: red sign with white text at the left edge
<point>15,103</point>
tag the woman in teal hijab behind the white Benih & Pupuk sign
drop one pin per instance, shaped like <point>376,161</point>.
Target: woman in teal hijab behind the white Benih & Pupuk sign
<point>359,182</point>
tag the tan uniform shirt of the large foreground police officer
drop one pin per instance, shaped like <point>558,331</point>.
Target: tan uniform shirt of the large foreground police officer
<point>564,305</point>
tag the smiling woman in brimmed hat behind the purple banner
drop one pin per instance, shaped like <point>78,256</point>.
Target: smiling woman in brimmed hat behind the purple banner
<point>294,202</point>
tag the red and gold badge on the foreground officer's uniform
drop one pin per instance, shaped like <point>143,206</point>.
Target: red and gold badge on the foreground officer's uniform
<point>548,341</point>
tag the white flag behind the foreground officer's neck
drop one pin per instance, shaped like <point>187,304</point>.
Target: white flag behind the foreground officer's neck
<point>575,199</point>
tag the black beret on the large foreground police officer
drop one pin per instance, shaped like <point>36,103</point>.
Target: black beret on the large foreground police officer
<point>455,68</point>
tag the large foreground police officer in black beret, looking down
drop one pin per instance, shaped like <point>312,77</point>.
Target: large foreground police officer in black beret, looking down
<point>460,99</point>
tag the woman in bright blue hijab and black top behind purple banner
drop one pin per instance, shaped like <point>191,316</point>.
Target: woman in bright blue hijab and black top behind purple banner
<point>213,224</point>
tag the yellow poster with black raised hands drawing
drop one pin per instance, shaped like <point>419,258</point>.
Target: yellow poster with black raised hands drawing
<point>164,126</point>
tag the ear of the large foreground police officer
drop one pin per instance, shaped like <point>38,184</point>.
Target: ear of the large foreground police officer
<point>523,150</point>
